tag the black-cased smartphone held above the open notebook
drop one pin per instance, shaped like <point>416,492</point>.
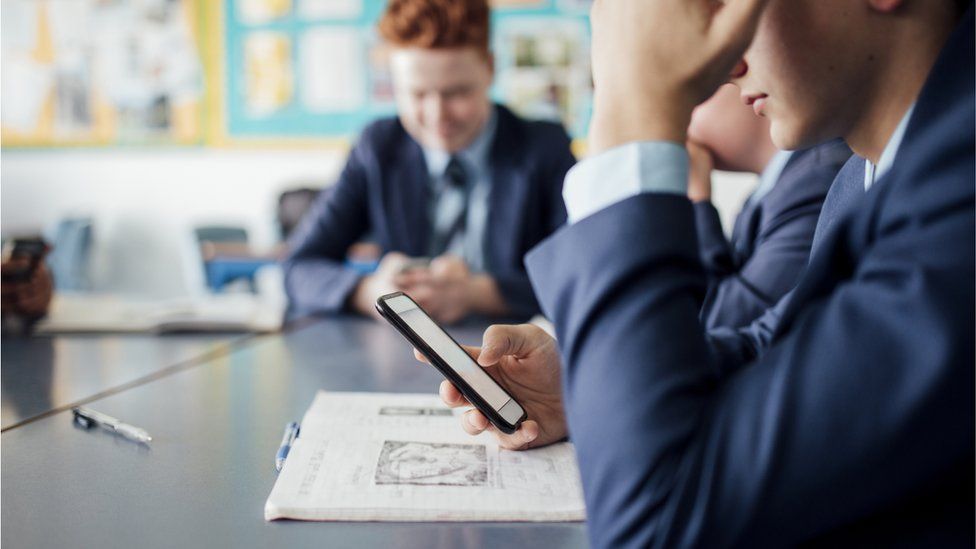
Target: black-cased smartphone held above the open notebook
<point>451,360</point>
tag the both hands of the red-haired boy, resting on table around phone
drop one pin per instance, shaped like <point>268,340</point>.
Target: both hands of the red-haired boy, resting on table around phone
<point>447,289</point>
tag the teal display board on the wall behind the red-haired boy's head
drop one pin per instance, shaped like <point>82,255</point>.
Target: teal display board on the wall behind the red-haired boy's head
<point>316,68</point>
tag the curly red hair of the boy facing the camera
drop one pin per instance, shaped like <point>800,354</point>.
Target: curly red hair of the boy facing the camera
<point>436,24</point>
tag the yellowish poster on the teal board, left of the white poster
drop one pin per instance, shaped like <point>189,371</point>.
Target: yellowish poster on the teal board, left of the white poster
<point>269,75</point>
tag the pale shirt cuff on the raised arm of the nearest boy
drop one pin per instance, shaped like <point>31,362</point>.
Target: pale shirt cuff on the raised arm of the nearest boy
<point>622,172</point>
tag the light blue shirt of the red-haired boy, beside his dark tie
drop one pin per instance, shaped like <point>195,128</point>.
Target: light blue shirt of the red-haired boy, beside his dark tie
<point>475,159</point>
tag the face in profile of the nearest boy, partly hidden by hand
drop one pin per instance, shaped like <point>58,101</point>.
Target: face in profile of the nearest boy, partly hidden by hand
<point>805,67</point>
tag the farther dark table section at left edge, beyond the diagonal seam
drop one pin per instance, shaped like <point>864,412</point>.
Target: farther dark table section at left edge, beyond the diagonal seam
<point>45,373</point>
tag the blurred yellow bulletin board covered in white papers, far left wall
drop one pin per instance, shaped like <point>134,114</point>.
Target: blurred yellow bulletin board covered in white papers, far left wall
<point>81,72</point>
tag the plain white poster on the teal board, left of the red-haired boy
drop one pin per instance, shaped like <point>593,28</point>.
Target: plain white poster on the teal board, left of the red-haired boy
<point>333,75</point>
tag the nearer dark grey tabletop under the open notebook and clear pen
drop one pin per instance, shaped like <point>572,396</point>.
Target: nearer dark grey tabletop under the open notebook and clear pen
<point>216,427</point>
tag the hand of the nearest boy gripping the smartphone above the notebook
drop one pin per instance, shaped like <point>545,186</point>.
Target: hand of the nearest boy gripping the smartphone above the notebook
<point>525,361</point>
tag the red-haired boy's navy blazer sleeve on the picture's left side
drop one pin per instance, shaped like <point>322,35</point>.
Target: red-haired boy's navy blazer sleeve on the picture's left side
<point>316,280</point>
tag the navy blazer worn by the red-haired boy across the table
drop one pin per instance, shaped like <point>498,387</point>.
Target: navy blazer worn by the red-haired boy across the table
<point>384,191</point>
